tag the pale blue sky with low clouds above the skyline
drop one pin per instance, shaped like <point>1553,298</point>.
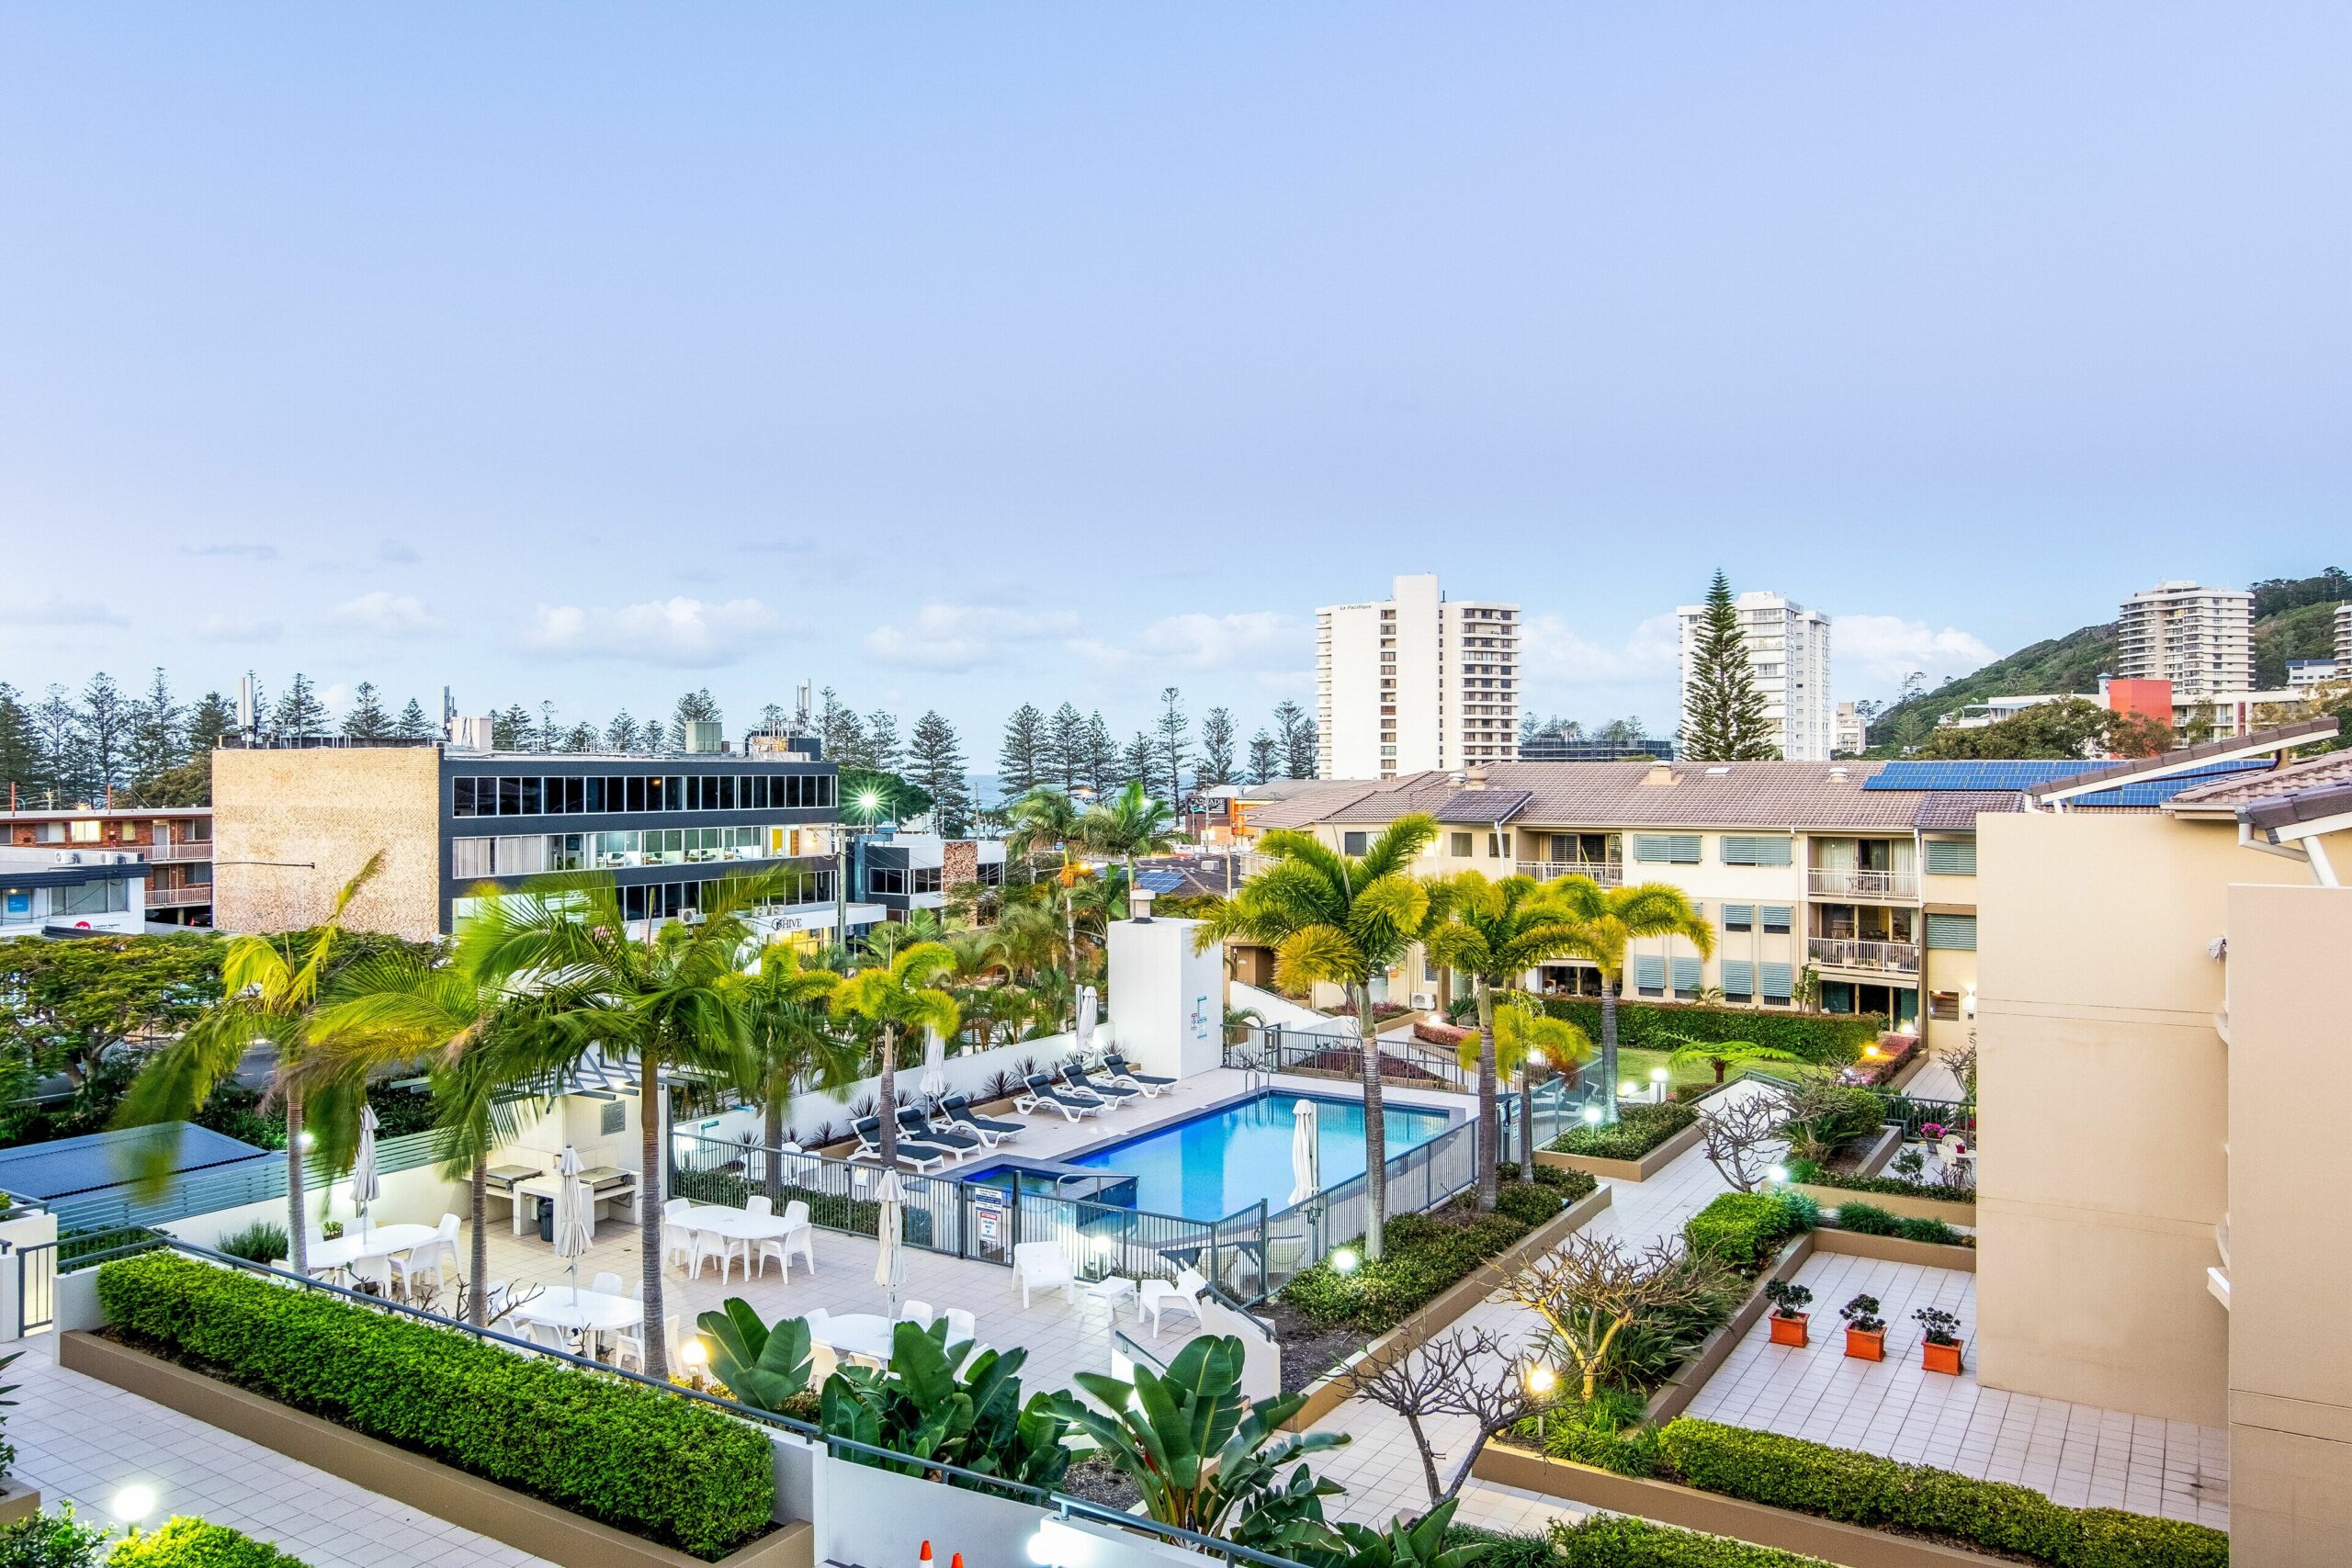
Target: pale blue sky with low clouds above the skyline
<point>961,356</point>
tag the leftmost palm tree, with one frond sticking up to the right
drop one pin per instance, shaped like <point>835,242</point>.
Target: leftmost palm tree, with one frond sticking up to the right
<point>269,989</point>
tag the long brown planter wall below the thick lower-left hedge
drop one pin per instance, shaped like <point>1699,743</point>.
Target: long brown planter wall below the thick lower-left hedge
<point>465,1501</point>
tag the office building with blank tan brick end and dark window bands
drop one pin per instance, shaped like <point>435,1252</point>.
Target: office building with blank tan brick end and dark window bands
<point>293,822</point>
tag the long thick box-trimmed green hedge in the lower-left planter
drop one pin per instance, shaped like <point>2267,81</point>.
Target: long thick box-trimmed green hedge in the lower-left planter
<point>615,1452</point>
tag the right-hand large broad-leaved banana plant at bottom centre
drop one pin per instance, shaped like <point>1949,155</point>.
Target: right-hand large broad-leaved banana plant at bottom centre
<point>1203,1456</point>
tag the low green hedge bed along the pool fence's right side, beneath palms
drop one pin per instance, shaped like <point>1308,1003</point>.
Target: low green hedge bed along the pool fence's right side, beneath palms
<point>1422,1257</point>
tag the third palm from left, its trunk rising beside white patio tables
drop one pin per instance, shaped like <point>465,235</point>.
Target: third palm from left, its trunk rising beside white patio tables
<point>674,1003</point>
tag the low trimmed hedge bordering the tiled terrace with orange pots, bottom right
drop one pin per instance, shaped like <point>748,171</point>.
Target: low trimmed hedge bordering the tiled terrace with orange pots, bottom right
<point>1883,1494</point>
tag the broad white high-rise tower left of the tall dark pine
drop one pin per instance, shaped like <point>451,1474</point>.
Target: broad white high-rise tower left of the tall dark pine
<point>1417,683</point>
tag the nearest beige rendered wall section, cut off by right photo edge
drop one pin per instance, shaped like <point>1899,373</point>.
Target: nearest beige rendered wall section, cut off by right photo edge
<point>2290,1268</point>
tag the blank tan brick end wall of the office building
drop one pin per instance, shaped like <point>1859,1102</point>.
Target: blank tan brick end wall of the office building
<point>290,829</point>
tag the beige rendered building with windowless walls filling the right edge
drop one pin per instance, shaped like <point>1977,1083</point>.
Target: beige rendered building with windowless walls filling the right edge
<point>2165,1181</point>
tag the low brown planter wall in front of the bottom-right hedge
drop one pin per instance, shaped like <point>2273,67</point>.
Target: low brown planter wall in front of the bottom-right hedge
<point>1716,1515</point>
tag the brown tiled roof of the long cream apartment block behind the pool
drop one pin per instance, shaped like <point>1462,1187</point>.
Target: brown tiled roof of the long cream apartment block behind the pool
<point>1826,796</point>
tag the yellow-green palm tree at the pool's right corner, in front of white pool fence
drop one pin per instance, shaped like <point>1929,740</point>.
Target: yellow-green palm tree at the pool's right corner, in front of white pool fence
<point>1339,920</point>
